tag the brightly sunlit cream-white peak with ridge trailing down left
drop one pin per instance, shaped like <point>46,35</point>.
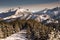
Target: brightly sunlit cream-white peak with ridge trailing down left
<point>19,13</point>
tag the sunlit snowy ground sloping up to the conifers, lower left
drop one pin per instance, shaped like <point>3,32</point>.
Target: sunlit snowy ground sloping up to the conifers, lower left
<point>17,36</point>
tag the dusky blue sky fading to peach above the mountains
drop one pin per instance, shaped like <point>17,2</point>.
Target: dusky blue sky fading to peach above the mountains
<point>28,4</point>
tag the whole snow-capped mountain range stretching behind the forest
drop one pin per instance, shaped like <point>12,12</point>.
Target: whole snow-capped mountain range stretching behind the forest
<point>45,15</point>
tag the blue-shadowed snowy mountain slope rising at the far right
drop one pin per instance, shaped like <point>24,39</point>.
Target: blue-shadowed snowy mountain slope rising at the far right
<point>53,13</point>
